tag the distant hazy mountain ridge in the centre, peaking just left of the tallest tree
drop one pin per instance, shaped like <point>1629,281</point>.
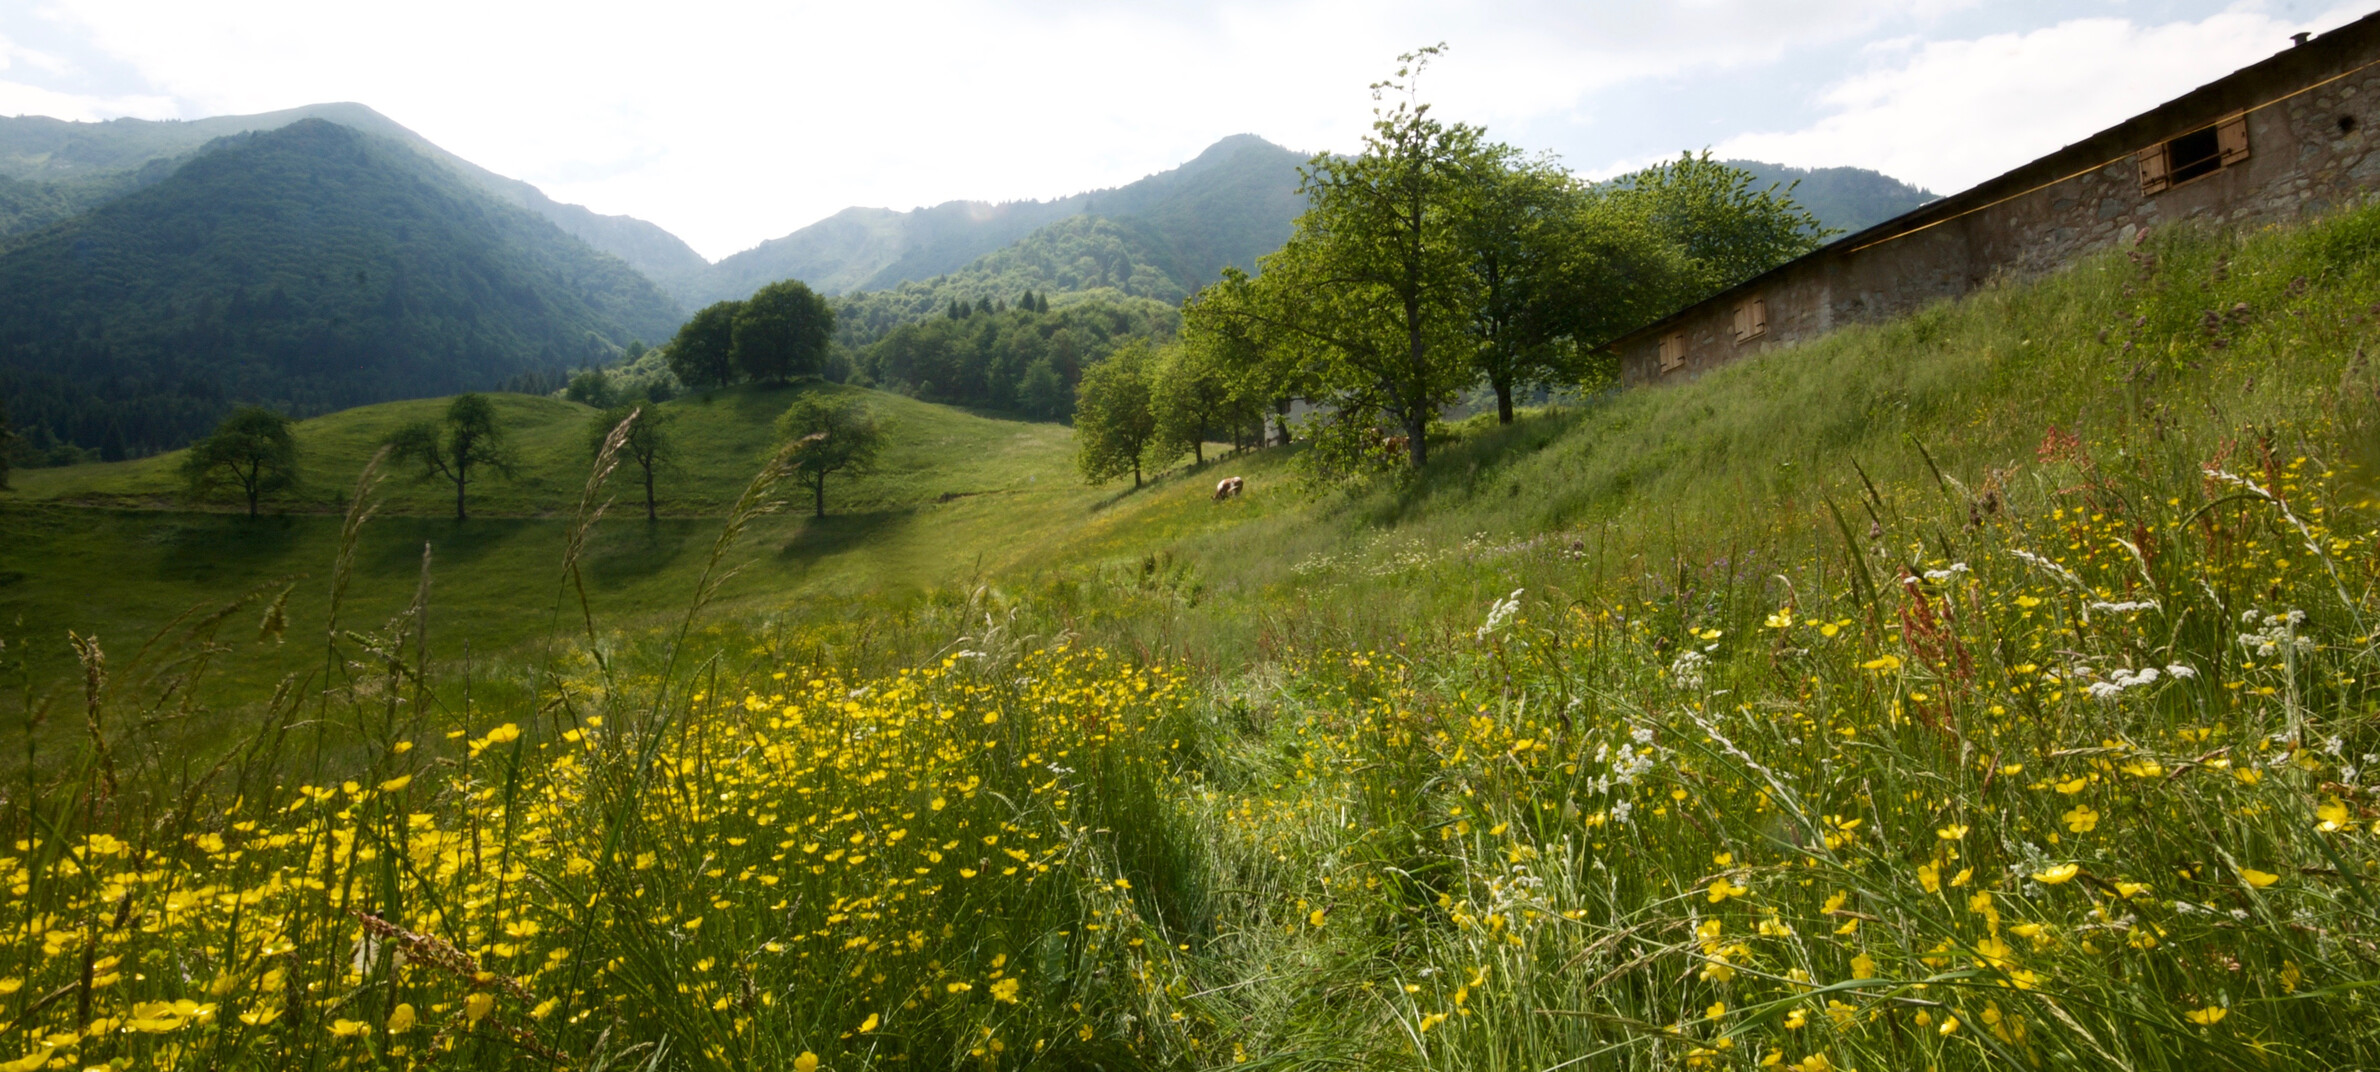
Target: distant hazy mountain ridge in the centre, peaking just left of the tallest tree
<point>1229,206</point>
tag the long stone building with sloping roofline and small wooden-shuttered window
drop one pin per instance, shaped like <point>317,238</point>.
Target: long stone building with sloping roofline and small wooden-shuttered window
<point>2274,142</point>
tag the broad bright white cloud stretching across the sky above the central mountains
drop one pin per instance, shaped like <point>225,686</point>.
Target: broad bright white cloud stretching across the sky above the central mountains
<point>737,123</point>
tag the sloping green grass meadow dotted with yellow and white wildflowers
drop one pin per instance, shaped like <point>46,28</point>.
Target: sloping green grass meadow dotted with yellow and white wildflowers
<point>1984,690</point>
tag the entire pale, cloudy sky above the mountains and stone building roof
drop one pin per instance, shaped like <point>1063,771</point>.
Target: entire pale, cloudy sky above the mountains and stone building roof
<point>732,123</point>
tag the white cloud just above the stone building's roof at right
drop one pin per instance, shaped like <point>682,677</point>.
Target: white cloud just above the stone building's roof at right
<point>1953,113</point>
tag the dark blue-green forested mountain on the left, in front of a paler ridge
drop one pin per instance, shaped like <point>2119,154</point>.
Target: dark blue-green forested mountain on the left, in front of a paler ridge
<point>308,268</point>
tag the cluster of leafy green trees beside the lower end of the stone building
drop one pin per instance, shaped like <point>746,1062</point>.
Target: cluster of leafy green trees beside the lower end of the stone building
<point>1429,266</point>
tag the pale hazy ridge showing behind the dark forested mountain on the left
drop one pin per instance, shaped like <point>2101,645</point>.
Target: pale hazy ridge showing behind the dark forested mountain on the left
<point>89,163</point>
